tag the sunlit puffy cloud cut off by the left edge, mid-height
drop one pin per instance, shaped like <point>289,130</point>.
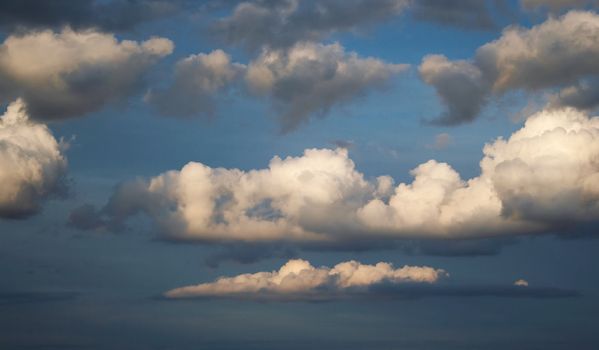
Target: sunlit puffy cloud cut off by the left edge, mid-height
<point>32,166</point>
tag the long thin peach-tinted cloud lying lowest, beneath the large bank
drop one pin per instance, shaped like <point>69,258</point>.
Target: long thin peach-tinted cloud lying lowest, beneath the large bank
<point>298,279</point>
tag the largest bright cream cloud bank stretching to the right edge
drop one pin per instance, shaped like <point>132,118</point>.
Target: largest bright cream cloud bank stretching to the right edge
<point>542,179</point>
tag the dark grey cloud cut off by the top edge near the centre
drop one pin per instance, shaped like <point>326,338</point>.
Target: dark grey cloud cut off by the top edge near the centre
<point>282,24</point>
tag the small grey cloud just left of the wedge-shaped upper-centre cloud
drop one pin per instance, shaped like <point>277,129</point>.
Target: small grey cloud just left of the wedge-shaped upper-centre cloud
<point>198,78</point>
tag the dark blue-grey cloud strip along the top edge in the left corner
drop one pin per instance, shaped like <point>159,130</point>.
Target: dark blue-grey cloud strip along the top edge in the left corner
<point>83,14</point>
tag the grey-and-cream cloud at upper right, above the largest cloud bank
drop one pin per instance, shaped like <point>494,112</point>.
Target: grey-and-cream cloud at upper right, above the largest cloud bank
<point>543,57</point>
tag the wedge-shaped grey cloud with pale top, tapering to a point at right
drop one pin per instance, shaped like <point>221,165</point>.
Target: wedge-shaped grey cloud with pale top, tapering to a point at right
<point>309,79</point>
